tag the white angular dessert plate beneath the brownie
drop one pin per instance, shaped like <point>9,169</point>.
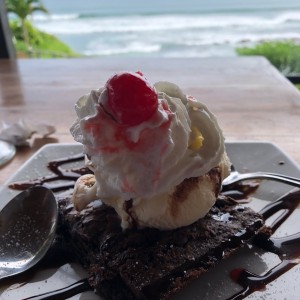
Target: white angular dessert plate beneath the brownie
<point>216,284</point>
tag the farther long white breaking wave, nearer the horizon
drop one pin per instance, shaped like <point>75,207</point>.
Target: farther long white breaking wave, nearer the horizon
<point>71,24</point>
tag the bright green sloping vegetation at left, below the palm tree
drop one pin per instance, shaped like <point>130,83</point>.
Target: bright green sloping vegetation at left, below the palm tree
<point>42,44</point>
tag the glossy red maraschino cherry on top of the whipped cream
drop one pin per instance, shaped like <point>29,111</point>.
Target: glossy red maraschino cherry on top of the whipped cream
<point>131,99</point>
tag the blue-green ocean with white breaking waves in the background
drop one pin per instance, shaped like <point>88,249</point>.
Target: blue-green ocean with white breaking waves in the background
<point>168,28</point>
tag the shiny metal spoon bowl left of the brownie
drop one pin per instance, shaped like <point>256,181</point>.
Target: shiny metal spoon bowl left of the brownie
<point>27,229</point>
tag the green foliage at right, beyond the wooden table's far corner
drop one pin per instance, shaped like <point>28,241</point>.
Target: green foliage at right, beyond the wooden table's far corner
<point>284,55</point>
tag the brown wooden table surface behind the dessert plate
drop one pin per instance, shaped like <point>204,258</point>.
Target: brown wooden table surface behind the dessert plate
<point>250,98</point>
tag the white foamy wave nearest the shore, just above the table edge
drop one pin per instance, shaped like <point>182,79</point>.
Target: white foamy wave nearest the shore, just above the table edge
<point>191,45</point>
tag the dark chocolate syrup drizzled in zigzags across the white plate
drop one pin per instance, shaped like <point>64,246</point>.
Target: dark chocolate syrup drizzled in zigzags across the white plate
<point>287,248</point>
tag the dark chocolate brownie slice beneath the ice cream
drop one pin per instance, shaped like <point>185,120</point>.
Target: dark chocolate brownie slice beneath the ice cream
<point>149,263</point>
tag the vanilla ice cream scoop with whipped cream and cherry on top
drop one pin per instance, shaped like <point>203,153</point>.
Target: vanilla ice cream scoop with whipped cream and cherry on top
<point>143,142</point>
